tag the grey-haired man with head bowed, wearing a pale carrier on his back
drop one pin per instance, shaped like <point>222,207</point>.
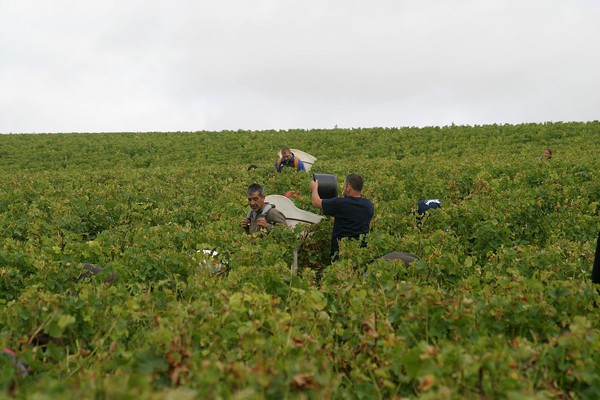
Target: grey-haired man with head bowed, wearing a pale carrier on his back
<point>262,215</point>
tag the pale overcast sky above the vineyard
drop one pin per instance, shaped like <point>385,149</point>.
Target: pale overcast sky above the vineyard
<point>187,65</point>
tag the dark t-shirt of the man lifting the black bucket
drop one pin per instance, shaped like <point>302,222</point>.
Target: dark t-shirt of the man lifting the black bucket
<point>352,218</point>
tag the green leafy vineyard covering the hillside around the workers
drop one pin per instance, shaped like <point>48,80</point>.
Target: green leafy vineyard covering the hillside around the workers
<point>498,305</point>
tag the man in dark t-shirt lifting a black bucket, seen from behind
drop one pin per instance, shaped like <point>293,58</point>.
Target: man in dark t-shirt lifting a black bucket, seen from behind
<point>352,212</point>
